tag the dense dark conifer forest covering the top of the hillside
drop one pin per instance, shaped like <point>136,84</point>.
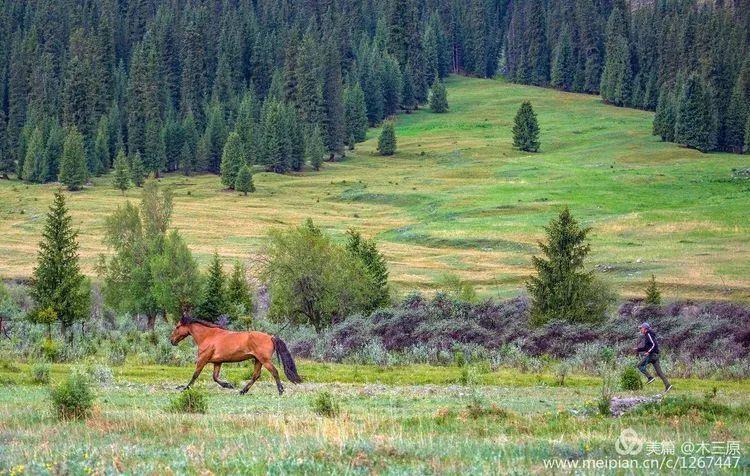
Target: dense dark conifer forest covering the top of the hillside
<point>167,82</point>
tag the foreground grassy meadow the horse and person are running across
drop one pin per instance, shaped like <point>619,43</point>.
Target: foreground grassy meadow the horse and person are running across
<point>398,420</point>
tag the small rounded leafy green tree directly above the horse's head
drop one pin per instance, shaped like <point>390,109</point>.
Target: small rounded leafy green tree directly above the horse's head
<point>175,277</point>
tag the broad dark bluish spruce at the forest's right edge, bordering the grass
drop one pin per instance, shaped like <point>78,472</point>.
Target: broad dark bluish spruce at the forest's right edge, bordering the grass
<point>695,125</point>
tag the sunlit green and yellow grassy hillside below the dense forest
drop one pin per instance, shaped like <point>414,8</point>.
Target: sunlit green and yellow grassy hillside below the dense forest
<point>458,198</point>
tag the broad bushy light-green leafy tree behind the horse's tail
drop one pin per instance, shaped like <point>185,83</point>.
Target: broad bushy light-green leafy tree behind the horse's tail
<point>313,280</point>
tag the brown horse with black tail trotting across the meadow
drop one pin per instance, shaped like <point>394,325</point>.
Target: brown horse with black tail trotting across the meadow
<point>217,345</point>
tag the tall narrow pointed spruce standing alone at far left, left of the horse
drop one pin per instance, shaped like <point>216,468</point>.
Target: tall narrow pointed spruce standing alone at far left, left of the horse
<point>57,282</point>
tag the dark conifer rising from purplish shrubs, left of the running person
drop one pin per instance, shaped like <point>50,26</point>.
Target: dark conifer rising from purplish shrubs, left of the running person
<point>562,289</point>
